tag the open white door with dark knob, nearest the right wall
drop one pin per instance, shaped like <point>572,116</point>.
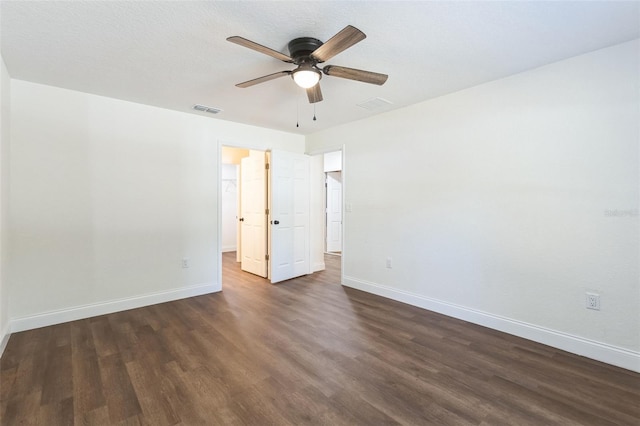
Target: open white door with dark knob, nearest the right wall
<point>290,220</point>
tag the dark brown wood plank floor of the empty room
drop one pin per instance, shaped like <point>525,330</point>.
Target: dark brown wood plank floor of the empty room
<point>305,351</point>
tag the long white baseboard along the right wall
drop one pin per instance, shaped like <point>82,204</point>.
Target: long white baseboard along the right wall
<point>609,354</point>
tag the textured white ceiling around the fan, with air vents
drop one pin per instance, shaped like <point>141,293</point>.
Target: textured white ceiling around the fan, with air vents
<point>175,54</point>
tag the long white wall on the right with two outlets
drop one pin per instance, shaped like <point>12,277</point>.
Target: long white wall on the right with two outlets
<point>504,203</point>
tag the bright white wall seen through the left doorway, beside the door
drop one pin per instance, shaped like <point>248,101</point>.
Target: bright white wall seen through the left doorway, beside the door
<point>229,200</point>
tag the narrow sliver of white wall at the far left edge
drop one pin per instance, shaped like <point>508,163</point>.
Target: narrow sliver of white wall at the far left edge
<point>5,101</point>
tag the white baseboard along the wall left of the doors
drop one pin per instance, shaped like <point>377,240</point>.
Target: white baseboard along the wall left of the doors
<point>87,311</point>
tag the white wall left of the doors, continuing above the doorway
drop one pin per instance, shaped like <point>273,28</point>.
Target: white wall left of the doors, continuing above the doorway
<point>106,199</point>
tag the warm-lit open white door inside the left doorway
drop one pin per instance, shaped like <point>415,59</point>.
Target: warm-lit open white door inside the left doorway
<point>253,218</point>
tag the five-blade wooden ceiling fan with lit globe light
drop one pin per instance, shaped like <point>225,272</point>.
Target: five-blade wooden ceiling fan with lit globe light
<point>307,53</point>
